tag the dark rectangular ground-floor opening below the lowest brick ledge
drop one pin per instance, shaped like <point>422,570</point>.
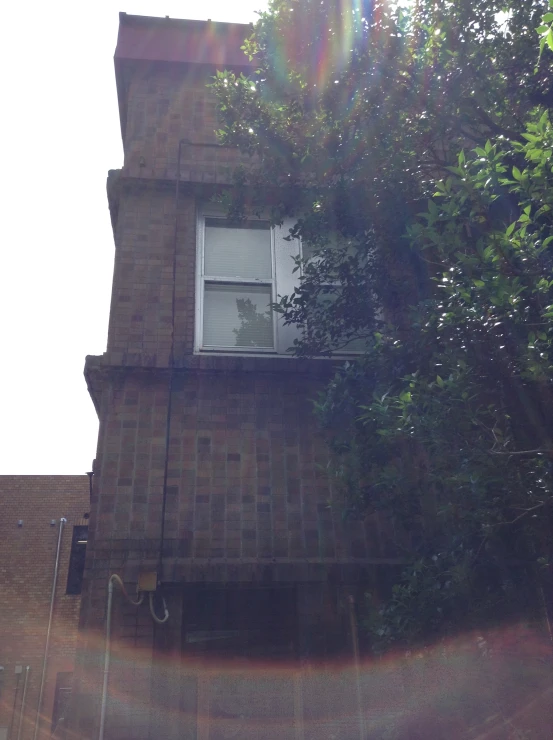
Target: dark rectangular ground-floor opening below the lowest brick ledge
<point>240,622</point>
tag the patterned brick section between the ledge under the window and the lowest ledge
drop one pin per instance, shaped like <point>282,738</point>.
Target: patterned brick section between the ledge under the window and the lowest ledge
<point>247,470</point>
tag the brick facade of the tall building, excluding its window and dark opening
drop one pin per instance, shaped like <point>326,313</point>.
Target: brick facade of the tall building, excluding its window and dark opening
<point>247,503</point>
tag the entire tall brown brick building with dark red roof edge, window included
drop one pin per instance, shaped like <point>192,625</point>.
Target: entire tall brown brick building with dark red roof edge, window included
<point>210,471</point>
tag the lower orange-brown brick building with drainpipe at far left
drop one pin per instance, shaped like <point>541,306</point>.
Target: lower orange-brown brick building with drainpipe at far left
<point>32,508</point>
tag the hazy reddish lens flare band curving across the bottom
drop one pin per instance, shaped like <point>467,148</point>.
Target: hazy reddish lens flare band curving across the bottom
<point>485,686</point>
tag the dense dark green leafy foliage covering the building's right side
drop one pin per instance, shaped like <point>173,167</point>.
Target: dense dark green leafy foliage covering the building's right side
<point>414,147</point>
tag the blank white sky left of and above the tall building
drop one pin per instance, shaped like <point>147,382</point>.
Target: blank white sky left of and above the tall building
<point>60,135</point>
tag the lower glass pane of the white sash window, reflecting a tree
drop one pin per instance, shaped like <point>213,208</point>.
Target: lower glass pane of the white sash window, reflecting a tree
<point>237,316</point>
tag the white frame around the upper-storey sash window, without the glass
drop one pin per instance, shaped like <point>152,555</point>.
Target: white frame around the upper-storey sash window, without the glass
<point>282,281</point>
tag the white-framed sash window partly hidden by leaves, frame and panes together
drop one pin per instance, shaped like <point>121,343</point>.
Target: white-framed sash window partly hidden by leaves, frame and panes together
<point>242,268</point>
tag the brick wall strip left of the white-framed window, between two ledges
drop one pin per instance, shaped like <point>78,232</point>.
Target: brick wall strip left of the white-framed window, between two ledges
<point>140,319</point>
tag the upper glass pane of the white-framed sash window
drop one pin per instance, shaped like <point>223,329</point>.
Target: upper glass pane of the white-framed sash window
<point>242,250</point>
